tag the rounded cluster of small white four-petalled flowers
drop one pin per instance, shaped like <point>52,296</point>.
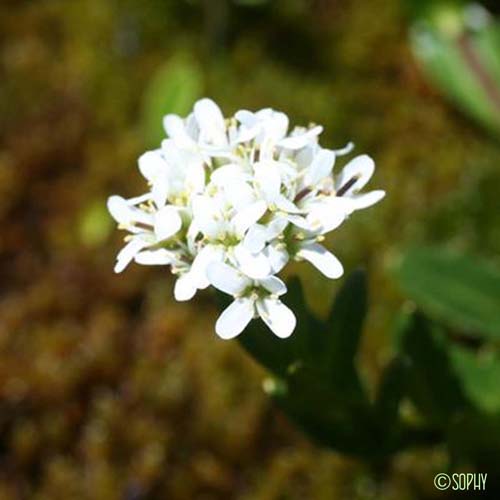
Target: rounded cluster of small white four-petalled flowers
<point>231,201</point>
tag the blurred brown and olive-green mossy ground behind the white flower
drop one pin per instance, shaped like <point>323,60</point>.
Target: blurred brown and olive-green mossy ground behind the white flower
<point>108,388</point>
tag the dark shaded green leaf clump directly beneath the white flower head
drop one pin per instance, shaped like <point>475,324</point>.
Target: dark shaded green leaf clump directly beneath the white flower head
<point>316,381</point>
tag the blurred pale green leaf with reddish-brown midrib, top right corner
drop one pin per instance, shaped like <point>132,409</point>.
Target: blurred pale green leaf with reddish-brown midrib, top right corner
<point>458,49</point>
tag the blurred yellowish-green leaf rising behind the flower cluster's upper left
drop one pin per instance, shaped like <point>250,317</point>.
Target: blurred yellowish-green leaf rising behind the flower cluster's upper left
<point>173,89</point>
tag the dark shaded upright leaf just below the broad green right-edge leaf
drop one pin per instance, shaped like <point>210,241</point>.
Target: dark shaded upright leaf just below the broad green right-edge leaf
<point>433,386</point>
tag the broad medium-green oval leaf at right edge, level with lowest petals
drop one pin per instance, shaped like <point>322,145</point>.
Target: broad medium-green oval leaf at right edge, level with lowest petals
<point>460,291</point>
